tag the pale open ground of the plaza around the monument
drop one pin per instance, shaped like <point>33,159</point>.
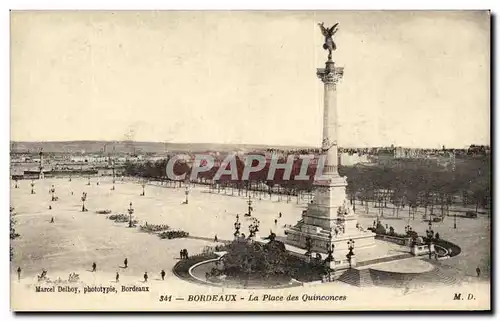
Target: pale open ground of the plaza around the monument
<point>76,239</point>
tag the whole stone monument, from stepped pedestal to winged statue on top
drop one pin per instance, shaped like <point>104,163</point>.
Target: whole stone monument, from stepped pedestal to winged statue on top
<point>329,218</point>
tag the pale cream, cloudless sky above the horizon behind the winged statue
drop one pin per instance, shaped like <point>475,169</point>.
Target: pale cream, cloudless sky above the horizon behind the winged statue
<point>414,79</point>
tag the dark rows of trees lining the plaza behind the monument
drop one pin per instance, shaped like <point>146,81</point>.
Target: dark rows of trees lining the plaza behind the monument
<point>404,182</point>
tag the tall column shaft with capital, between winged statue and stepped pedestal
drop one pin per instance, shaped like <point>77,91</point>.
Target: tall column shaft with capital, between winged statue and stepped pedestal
<point>330,76</point>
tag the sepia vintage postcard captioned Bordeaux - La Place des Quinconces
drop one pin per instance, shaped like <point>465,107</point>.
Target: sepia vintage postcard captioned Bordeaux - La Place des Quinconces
<point>250,161</point>
